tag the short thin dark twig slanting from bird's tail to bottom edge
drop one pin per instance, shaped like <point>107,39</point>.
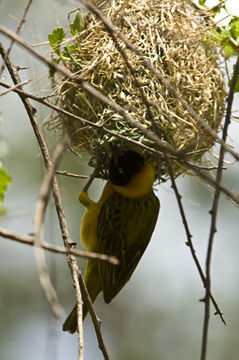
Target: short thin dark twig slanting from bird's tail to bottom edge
<point>95,320</point>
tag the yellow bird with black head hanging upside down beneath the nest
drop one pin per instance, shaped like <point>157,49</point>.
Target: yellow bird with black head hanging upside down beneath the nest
<point>121,223</point>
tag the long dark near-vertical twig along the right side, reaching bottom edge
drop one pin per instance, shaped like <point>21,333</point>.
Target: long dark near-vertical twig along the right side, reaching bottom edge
<point>213,212</point>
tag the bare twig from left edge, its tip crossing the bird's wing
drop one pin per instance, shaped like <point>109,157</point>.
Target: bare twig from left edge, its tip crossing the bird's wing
<point>27,240</point>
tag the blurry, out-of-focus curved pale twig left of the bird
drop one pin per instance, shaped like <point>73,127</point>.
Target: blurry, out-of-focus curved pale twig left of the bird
<point>40,210</point>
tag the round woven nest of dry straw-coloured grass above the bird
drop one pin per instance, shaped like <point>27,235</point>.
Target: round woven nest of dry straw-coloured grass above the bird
<point>176,39</point>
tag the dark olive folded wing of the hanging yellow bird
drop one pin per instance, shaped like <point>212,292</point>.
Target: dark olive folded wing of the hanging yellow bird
<point>124,230</point>
